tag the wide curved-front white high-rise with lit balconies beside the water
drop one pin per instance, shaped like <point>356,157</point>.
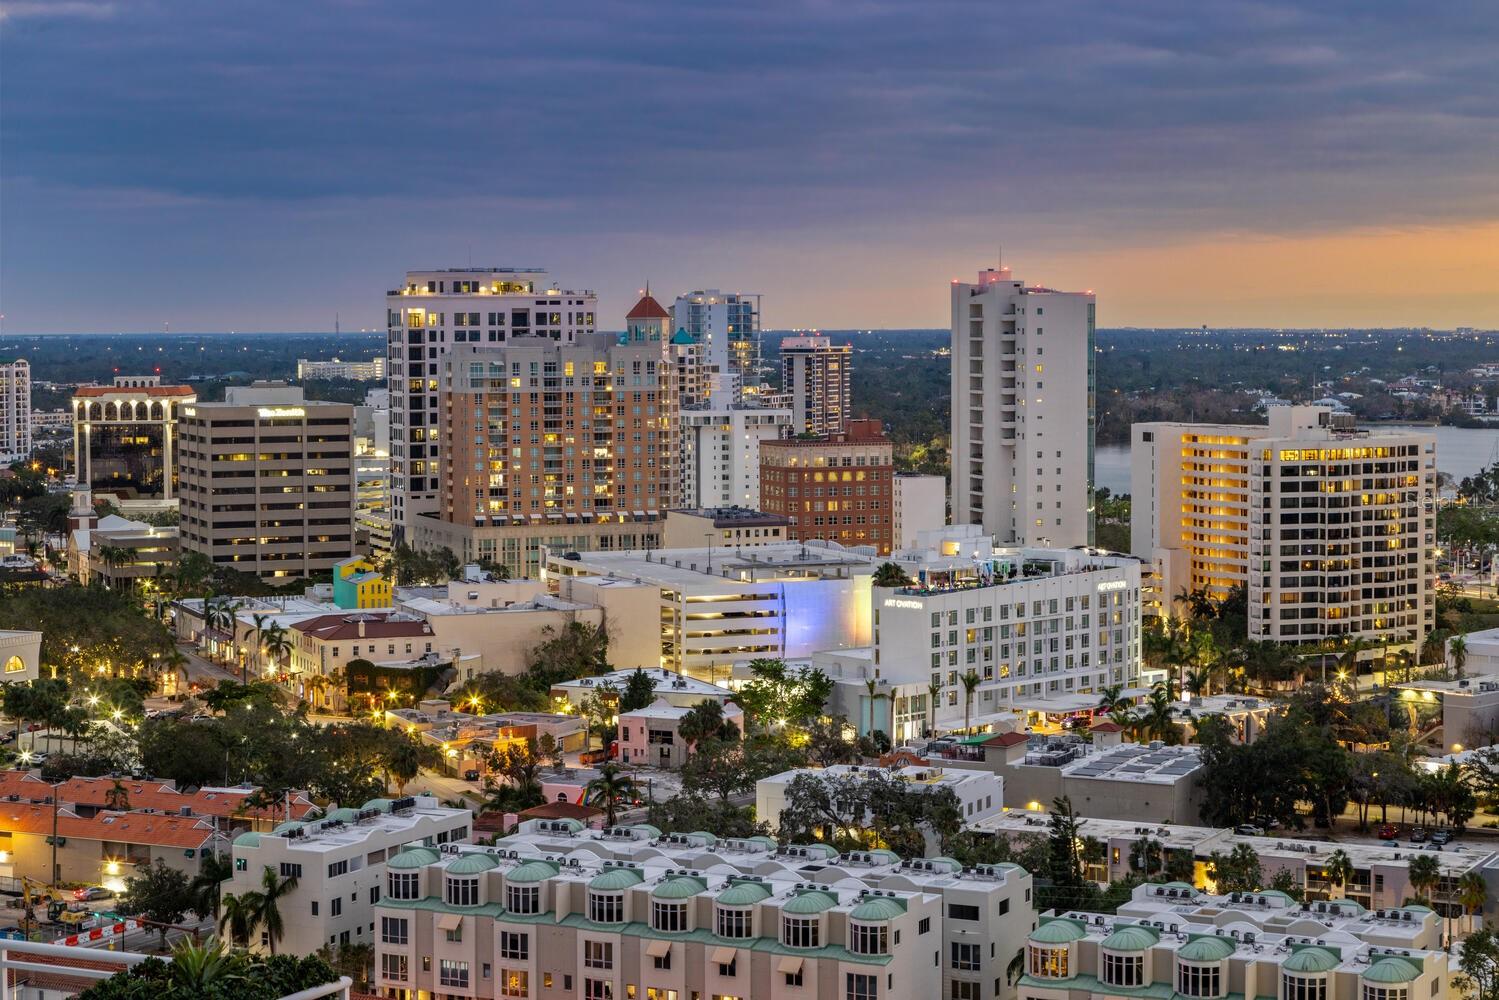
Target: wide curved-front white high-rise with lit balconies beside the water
<point>1330,528</point>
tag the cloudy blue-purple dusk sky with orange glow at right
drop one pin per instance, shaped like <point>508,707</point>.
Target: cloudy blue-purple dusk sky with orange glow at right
<point>268,166</point>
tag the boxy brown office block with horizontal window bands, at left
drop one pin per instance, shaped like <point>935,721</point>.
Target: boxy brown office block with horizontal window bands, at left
<point>268,482</point>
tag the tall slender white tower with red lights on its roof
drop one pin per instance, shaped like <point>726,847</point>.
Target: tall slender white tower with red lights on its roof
<point>1023,419</point>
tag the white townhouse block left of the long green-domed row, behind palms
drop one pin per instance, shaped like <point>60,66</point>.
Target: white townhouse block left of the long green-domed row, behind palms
<point>340,864</point>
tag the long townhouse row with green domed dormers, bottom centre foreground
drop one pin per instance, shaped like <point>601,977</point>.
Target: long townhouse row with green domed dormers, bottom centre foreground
<point>627,912</point>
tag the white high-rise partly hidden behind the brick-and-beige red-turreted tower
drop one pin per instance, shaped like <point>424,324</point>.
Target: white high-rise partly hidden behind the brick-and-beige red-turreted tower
<point>434,311</point>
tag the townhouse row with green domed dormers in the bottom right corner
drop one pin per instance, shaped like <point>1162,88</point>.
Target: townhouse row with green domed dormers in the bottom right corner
<point>1170,941</point>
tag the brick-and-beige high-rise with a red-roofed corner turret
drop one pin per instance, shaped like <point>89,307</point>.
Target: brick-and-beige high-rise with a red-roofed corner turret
<point>557,443</point>
